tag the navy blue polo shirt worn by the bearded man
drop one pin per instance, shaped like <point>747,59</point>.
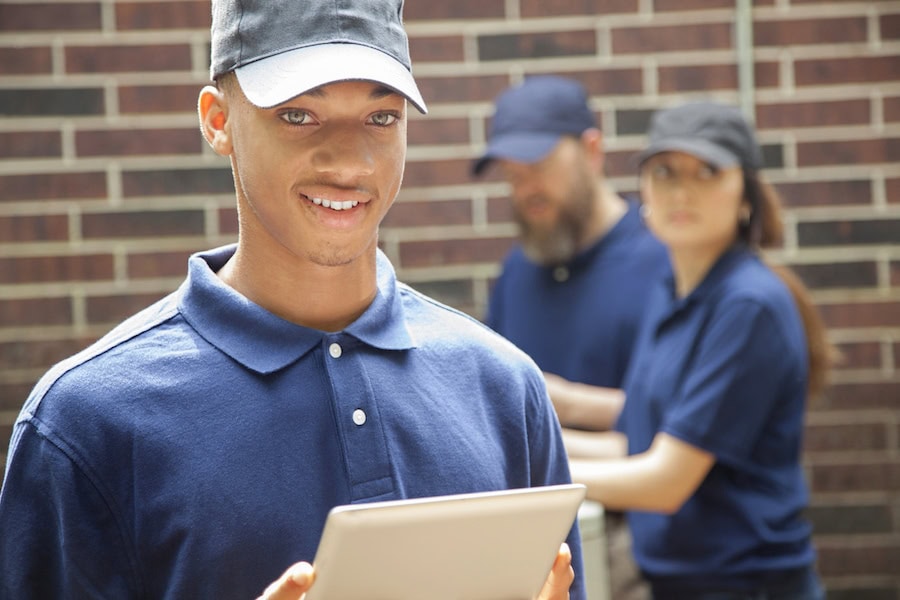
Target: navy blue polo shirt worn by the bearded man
<point>580,320</point>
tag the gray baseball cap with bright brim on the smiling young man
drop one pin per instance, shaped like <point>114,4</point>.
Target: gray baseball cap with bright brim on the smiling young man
<point>280,49</point>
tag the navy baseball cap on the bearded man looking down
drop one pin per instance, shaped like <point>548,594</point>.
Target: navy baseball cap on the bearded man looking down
<point>529,119</point>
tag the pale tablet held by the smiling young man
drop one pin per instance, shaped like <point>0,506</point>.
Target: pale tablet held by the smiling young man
<point>490,546</point>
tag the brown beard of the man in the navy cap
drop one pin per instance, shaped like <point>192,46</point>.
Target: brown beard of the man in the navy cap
<point>558,242</point>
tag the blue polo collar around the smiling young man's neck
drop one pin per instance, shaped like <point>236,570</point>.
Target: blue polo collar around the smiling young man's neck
<point>263,341</point>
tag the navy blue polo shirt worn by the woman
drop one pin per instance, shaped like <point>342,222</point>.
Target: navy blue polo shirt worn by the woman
<point>724,369</point>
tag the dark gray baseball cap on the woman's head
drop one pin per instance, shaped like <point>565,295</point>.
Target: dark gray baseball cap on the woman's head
<point>715,133</point>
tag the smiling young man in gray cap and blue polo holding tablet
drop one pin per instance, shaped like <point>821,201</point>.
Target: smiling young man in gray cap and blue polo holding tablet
<point>195,451</point>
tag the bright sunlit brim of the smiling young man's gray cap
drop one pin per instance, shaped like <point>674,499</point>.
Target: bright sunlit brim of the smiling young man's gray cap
<point>276,79</point>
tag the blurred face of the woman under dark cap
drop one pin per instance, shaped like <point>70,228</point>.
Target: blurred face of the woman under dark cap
<point>693,206</point>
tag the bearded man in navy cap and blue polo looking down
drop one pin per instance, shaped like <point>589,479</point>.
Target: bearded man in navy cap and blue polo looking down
<point>571,294</point>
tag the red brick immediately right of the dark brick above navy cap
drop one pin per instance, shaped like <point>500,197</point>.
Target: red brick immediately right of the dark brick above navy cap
<point>670,38</point>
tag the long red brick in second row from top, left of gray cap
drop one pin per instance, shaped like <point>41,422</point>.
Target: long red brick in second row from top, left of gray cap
<point>122,59</point>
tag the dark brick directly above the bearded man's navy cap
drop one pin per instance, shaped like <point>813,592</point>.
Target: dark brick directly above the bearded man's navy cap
<point>512,46</point>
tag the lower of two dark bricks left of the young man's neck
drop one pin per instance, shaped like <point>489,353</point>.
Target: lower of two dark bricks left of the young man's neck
<point>152,224</point>
